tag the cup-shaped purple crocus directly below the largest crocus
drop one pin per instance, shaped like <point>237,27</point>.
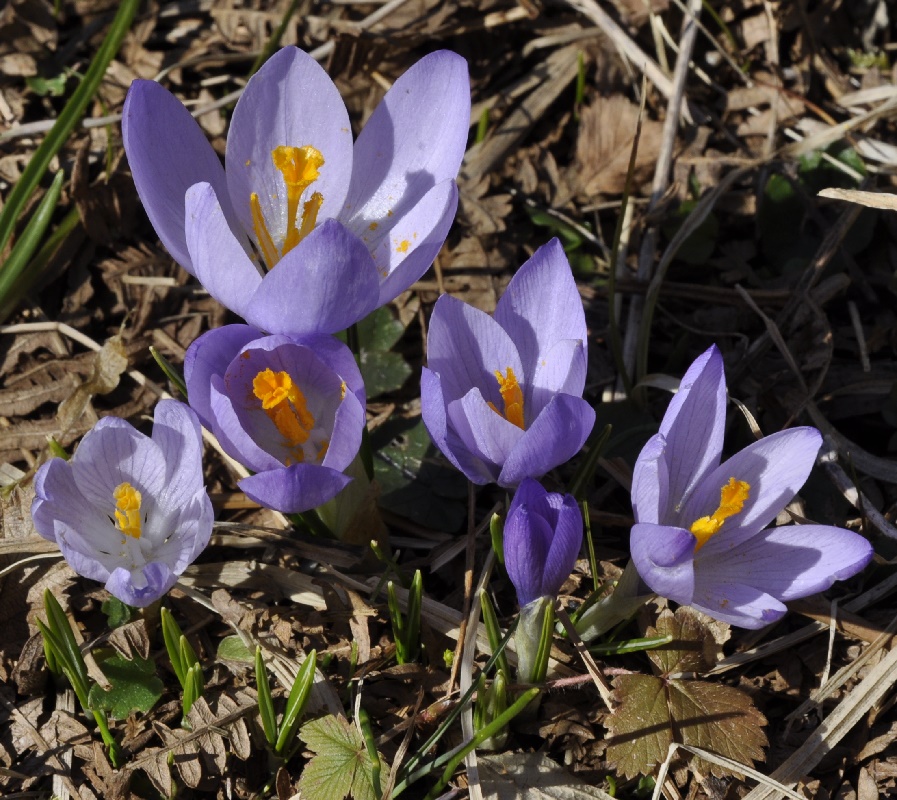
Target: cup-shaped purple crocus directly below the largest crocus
<point>290,411</point>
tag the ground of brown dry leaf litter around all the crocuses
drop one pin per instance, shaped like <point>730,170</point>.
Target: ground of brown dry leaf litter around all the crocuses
<point>781,101</point>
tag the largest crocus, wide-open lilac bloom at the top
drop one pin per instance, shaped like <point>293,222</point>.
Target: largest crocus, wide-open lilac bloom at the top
<point>348,227</point>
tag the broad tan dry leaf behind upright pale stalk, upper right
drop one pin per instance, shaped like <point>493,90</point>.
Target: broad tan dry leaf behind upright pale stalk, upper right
<point>604,144</point>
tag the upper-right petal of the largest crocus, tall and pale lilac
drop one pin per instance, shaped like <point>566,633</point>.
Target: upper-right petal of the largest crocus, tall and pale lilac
<point>414,140</point>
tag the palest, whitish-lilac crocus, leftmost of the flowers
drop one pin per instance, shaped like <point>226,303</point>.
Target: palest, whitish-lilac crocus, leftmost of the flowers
<point>129,510</point>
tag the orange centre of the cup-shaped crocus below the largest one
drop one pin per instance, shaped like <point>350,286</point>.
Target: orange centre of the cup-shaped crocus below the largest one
<point>286,406</point>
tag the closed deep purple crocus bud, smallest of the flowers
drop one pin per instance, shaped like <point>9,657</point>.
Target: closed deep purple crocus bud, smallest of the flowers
<point>542,537</point>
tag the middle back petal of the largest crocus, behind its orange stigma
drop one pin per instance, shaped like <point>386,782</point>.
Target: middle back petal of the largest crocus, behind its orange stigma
<point>290,101</point>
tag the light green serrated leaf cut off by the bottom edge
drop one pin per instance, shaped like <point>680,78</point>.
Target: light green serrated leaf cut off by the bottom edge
<point>340,766</point>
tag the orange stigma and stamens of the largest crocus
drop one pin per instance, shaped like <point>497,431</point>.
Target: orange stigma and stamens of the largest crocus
<point>300,169</point>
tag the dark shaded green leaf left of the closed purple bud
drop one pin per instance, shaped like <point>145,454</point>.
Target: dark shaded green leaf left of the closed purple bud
<point>413,483</point>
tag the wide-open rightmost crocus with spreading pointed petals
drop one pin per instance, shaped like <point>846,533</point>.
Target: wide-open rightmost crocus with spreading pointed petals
<point>702,536</point>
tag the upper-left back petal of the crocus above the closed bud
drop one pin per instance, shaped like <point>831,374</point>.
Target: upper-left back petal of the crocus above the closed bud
<point>466,347</point>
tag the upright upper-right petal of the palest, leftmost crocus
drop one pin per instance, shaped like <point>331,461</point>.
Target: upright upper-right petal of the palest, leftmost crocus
<point>176,432</point>
